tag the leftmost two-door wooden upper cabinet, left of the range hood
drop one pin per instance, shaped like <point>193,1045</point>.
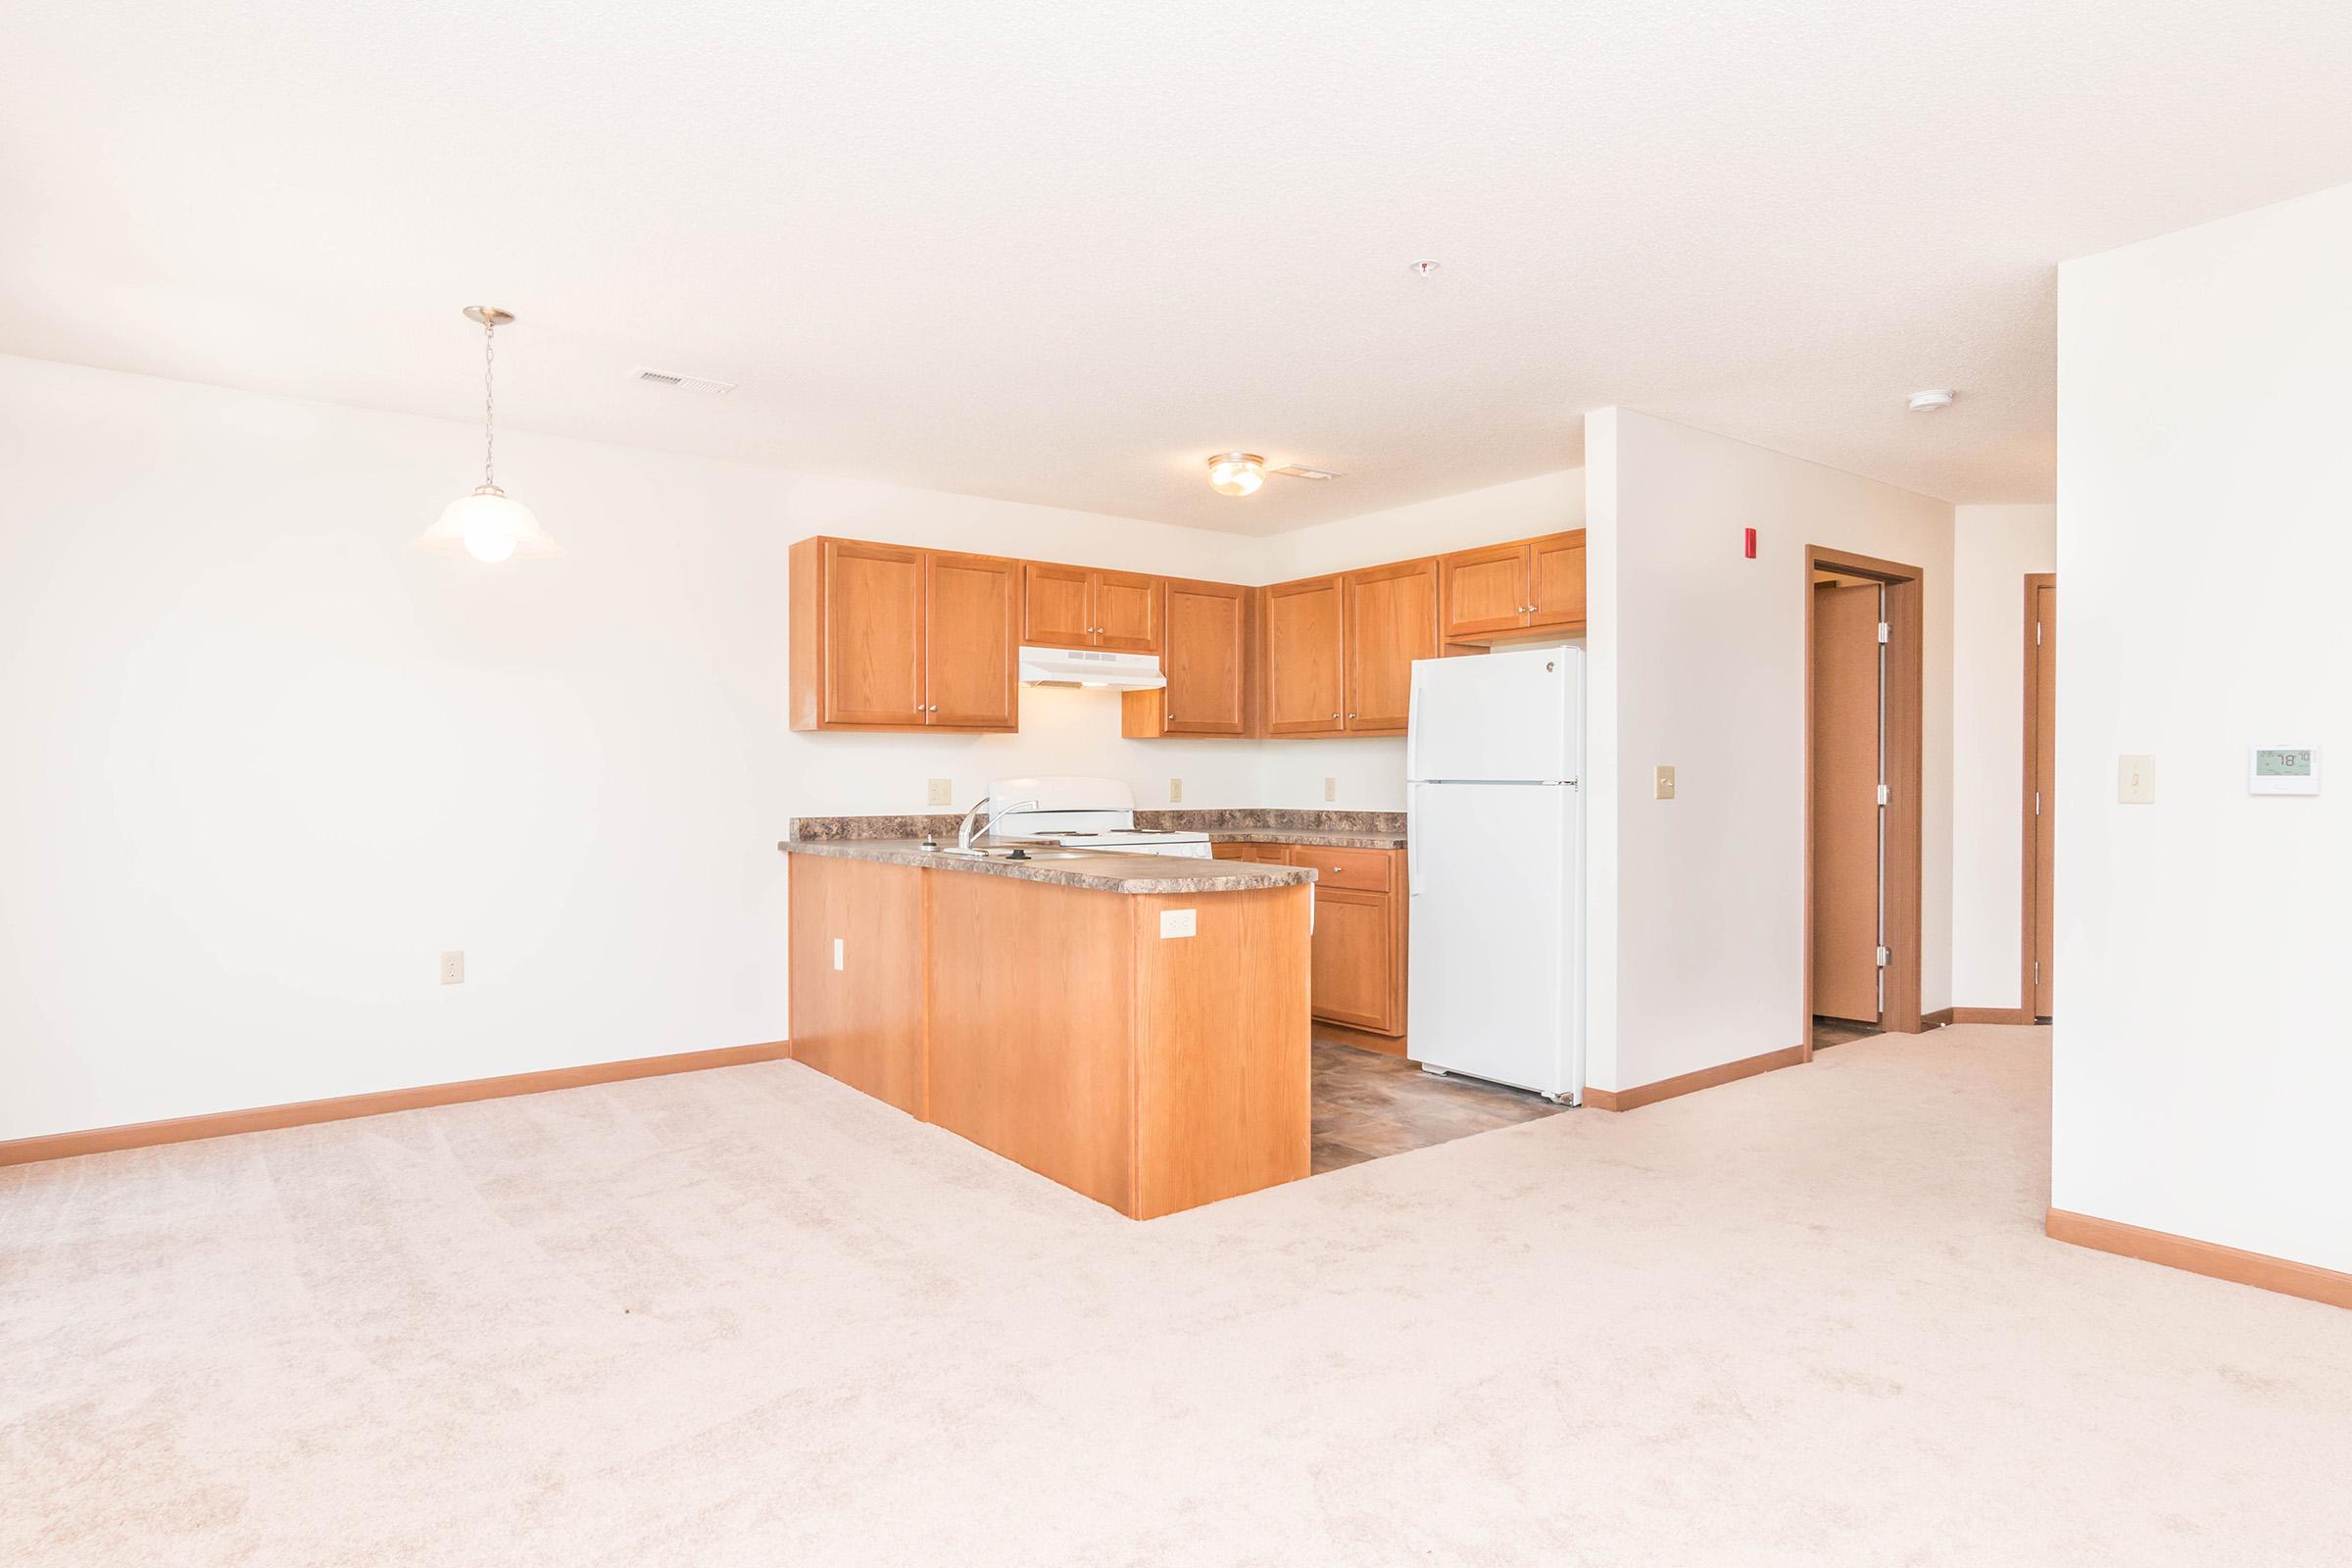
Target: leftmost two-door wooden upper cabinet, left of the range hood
<point>895,638</point>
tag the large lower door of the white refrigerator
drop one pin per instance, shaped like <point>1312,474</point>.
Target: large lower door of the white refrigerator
<point>1495,981</point>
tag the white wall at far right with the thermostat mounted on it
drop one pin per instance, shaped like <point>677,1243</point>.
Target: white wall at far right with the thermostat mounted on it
<point>2203,1061</point>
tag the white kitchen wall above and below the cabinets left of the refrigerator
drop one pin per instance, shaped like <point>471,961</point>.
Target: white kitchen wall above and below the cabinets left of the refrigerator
<point>1370,775</point>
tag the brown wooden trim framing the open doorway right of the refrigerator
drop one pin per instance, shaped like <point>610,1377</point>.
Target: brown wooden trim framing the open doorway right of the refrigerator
<point>1906,735</point>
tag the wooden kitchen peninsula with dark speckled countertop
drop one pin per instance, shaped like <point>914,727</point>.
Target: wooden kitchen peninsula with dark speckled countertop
<point>1130,1026</point>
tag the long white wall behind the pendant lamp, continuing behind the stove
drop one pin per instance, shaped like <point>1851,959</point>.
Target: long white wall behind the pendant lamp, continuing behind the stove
<point>267,760</point>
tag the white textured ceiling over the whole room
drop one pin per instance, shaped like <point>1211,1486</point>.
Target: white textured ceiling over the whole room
<point>1064,250</point>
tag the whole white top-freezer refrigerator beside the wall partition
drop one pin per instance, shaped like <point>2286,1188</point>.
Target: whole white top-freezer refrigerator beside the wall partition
<point>1497,869</point>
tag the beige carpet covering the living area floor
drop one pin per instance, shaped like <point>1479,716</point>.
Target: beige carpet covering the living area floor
<point>754,1318</point>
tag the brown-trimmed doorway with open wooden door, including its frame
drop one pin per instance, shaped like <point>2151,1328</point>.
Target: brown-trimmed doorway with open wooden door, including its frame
<point>1864,732</point>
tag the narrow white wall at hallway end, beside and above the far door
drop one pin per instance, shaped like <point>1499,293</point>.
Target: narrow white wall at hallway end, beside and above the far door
<point>1993,551</point>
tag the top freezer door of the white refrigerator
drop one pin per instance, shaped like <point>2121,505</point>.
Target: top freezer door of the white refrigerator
<point>1502,718</point>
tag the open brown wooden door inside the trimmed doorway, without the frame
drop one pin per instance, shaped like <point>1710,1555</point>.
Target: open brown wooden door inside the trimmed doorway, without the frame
<point>1847,803</point>
